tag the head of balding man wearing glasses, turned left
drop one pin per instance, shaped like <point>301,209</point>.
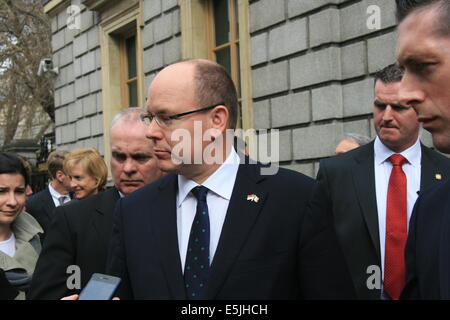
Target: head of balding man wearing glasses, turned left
<point>184,99</point>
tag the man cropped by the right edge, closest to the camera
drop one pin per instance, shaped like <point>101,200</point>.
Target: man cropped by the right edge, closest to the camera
<point>424,53</point>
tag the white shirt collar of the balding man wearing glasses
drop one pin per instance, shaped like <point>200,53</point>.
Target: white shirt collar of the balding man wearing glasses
<point>221,182</point>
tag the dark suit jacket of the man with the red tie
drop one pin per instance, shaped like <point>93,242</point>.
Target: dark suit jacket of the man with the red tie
<point>341,236</point>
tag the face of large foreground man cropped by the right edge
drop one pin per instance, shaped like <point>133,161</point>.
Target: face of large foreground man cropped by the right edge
<point>425,56</point>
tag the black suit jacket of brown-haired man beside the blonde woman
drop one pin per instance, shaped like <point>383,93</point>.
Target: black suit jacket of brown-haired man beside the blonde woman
<point>40,205</point>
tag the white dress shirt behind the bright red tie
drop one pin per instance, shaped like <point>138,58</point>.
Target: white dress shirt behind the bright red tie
<point>383,168</point>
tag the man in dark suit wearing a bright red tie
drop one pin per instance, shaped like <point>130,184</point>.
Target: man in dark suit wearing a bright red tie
<point>355,230</point>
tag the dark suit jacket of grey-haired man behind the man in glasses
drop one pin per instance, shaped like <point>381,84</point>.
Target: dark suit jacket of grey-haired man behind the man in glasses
<point>79,235</point>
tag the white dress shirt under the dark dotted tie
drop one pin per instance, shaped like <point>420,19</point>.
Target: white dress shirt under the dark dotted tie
<point>220,186</point>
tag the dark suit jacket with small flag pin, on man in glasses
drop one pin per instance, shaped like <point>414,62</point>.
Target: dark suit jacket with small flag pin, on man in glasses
<point>256,257</point>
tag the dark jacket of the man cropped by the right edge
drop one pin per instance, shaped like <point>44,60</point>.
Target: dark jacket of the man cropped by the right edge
<point>428,246</point>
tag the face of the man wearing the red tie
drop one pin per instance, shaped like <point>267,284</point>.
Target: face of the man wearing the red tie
<point>396,125</point>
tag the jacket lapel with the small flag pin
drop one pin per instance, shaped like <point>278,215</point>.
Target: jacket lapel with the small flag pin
<point>240,218</point>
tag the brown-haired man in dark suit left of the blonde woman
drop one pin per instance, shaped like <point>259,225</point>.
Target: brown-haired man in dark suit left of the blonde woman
<point>42,204</point>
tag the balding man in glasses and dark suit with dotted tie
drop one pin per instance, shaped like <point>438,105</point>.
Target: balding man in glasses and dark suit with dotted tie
<point>220,229</point>
